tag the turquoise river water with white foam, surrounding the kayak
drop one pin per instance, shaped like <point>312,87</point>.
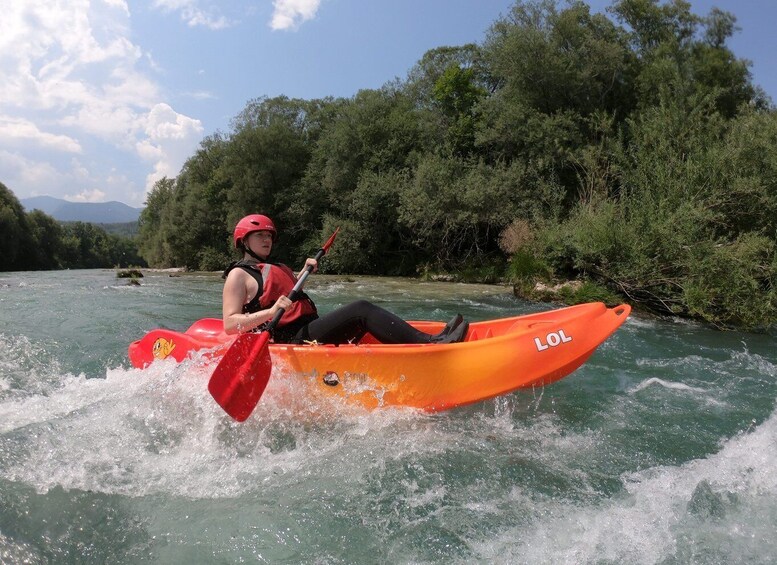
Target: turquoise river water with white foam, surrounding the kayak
<point>662,448</point>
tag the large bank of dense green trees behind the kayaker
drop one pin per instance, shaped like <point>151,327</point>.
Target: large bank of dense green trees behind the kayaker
<point>630,151</point>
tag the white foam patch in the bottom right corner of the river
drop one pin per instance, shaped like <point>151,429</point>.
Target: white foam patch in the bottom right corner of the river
<point>650,521</point>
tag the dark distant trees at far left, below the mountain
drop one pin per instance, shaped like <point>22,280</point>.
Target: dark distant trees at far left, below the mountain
<point>36,241</point>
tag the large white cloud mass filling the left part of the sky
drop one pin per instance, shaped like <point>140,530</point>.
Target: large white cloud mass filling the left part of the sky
<point>75,83</point>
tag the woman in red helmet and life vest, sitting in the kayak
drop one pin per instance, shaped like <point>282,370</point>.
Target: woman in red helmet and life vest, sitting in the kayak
<point>255,289</point>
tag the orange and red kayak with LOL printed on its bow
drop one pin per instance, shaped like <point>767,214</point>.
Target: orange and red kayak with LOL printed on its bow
<point>496,357</point>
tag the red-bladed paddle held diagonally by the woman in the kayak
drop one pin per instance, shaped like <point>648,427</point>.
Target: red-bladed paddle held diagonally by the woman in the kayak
<point>242,374</point>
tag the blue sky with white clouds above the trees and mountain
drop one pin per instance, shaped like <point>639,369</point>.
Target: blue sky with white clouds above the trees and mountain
<point>99,99</point>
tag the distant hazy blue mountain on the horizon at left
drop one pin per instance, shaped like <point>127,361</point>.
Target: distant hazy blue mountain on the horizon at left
<point>94,212</point>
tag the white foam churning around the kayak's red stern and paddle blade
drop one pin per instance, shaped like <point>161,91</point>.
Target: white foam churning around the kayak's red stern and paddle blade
<point>159,431</point>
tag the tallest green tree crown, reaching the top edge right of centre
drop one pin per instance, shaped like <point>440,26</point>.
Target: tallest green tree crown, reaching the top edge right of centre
<point>561,74</point>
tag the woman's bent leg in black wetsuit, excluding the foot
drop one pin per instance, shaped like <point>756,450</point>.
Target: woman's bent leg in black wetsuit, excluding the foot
<point>349,323</point>
